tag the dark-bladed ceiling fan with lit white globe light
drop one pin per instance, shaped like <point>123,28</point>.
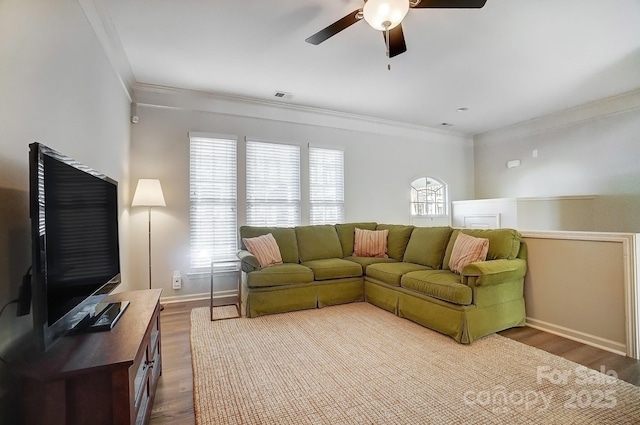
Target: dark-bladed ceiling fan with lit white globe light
<point>386,16</point>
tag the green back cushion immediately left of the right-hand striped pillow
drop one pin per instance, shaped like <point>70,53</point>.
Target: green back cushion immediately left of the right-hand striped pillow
<point>427,246</point>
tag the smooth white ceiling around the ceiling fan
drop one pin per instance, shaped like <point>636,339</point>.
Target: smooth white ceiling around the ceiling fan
<point>511,61</point>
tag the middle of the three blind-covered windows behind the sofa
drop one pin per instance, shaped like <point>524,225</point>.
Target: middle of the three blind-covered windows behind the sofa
<point>273,184</point>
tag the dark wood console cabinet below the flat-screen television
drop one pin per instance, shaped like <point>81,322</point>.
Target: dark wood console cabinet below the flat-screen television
<point>99,378</point>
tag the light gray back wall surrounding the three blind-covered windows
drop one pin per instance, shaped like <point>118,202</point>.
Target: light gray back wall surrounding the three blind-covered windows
<point>381,160</point>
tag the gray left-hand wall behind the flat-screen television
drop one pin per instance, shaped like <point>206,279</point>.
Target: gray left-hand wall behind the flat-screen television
<point>56,87</point>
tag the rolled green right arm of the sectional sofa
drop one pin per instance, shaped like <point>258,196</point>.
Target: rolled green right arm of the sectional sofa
<point>494,272</point>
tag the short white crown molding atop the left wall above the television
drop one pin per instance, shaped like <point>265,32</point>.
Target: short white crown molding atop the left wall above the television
<point>107,35</point>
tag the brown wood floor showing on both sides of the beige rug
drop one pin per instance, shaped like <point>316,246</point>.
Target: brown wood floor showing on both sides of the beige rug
<point>174,397</point>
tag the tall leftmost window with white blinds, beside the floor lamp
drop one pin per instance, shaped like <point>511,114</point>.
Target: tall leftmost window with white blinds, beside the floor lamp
<point>213,184</point>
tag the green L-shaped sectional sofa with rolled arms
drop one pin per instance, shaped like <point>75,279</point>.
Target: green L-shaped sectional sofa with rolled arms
<point>414,282</point>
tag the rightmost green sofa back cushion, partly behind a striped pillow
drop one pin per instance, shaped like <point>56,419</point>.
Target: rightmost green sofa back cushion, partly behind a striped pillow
<point>503,243</point>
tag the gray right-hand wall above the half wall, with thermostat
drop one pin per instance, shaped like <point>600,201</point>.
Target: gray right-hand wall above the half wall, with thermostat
<point>591,150</point>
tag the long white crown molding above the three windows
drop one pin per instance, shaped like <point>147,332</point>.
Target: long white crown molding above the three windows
<point>170,97</point>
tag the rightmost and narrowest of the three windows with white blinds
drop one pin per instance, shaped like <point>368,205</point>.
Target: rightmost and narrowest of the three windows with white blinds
<point>326,185</point>
